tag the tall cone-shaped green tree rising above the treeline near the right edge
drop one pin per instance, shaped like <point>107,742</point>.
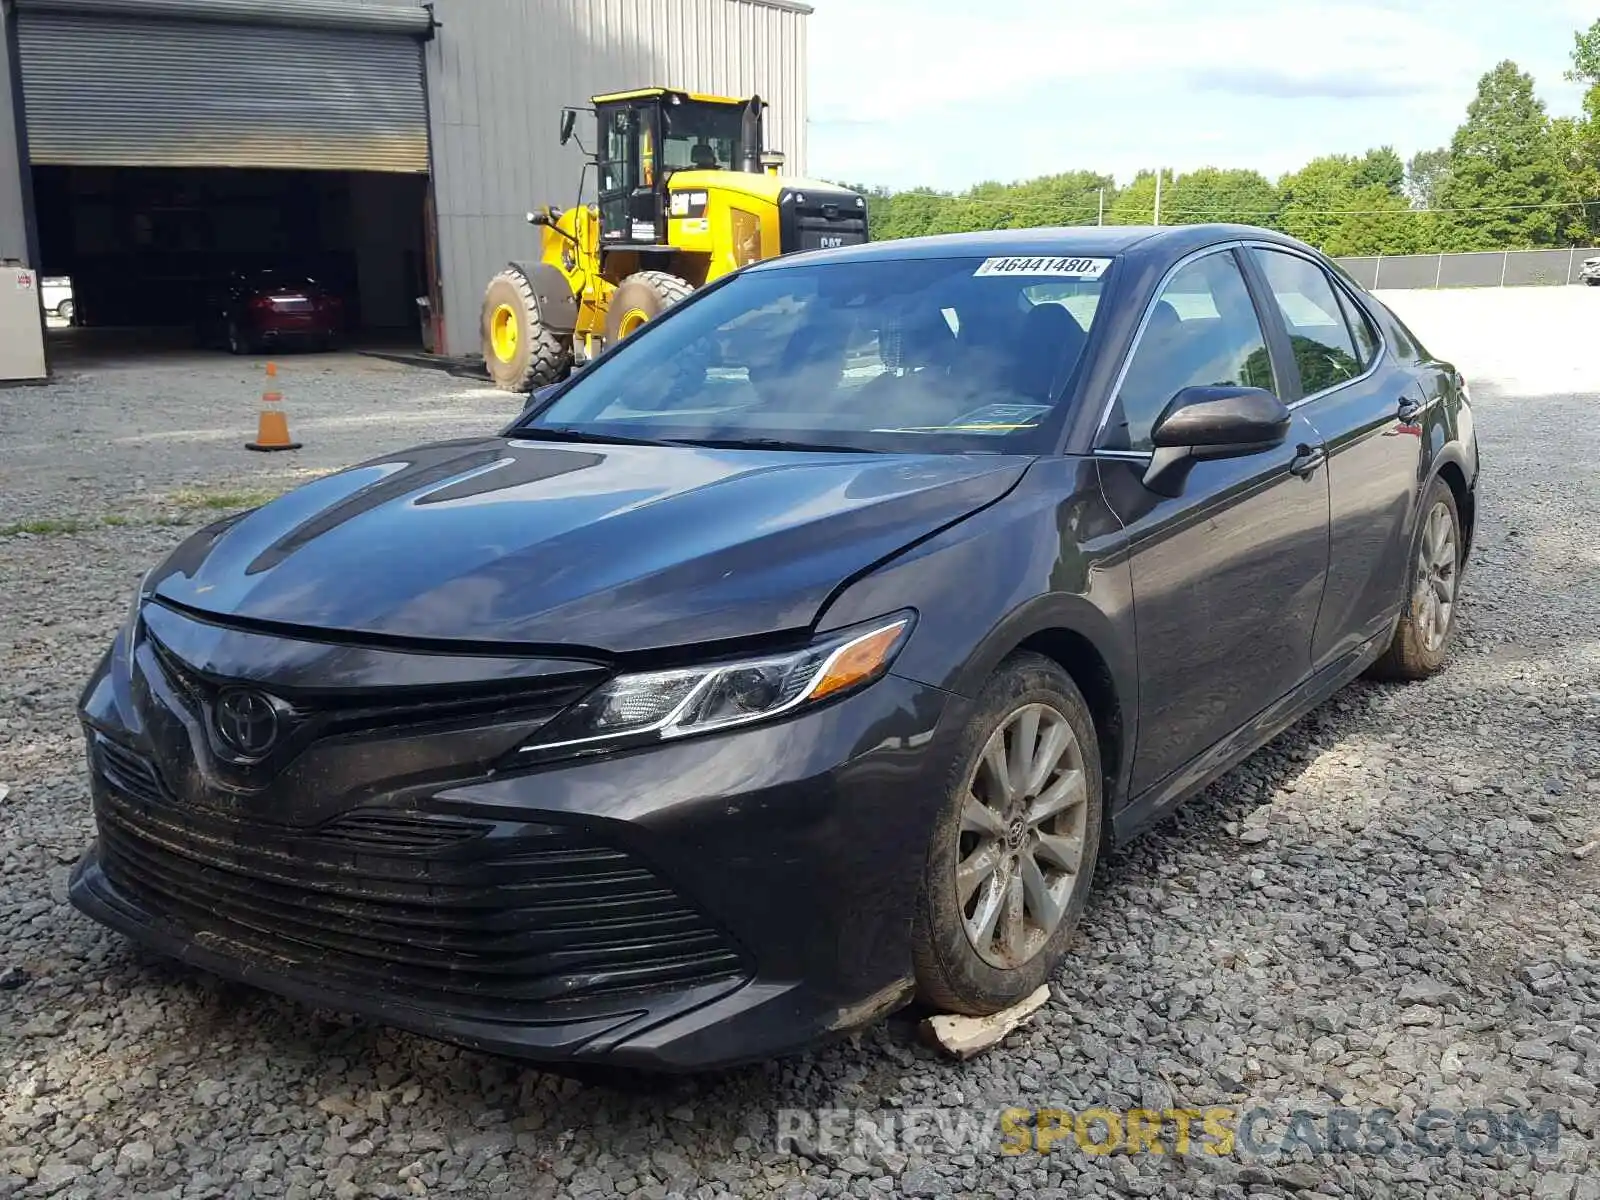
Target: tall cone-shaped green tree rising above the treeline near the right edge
<point>1505,170</point>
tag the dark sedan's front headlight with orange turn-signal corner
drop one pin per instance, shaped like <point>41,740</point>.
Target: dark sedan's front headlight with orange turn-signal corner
<point>665,705</point>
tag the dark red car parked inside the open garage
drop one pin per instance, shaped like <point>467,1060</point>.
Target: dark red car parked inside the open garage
<point>252,311</point>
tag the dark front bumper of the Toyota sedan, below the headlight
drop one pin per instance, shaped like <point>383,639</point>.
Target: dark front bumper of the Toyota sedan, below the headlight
<point>793,852</point>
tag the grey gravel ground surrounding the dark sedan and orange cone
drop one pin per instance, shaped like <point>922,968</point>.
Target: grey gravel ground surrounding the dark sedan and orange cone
<point>1380,910</point>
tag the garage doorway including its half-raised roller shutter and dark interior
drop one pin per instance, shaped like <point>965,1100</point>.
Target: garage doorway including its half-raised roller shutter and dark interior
<point>250,166</point>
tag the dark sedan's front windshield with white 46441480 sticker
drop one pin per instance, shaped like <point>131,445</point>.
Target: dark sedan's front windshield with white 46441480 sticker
<point>913,354</point>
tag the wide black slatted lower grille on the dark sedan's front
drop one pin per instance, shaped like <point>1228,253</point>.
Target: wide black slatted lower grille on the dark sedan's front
<point>478,918</point>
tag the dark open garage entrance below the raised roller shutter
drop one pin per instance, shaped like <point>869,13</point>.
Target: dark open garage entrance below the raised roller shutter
<point>178,254</point>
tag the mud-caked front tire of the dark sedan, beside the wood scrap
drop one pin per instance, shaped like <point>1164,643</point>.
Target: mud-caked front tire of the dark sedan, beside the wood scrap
<point>953,974</point>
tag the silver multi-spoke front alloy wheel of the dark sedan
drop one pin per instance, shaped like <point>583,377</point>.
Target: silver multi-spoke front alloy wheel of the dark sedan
<point>1022,836</point>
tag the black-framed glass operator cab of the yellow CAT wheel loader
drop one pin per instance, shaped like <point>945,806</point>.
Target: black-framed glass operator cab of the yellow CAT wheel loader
<point>647,137</point>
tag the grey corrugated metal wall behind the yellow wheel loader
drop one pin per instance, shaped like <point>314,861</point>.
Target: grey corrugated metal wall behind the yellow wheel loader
<point>500,73</point>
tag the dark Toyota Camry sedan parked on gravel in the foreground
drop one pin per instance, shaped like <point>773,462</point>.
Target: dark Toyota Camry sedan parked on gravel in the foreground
<point>793,662</point>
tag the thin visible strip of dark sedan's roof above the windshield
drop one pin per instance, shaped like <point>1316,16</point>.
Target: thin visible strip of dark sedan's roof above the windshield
<point>1068,241</point>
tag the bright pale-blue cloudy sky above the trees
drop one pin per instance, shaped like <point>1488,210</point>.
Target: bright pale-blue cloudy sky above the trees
<point>950,94</point>
